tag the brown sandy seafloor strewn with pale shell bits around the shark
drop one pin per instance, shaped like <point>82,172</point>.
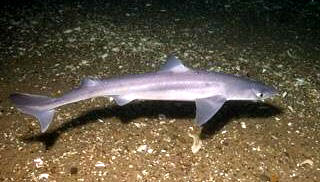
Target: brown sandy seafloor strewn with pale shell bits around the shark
<point>48,47</point>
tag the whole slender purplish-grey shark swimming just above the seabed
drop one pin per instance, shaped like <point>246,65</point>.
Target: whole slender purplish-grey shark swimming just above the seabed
<point>175,82</point>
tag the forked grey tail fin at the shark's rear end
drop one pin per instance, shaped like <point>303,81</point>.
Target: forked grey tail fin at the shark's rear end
<point>33,105</point>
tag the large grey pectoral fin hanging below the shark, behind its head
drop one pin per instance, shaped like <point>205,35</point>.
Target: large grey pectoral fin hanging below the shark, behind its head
<point>208,107</point>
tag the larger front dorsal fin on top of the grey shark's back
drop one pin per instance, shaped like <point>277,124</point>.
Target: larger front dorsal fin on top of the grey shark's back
<point>173,65</point>
